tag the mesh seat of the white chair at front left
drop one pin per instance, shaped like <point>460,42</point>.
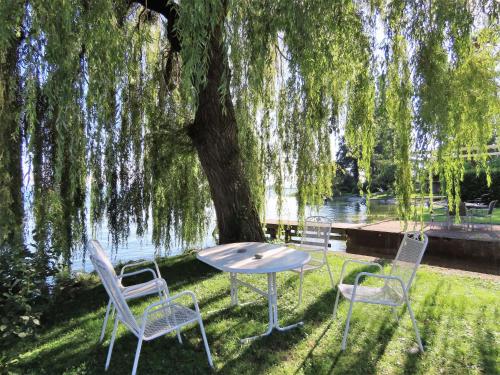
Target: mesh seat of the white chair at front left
<point>166,319</point>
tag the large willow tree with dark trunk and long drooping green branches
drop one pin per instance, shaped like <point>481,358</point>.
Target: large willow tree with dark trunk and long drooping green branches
<point>163,108</point>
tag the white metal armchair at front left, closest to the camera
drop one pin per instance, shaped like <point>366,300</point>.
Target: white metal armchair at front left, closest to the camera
<point>158,319</point>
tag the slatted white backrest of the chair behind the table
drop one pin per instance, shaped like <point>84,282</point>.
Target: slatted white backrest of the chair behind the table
<point>315,237</point>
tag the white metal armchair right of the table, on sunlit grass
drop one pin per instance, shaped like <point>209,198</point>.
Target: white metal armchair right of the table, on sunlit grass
<point>397,284</point>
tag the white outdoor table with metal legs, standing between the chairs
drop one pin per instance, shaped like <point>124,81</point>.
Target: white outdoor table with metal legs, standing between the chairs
<point>241,258</point>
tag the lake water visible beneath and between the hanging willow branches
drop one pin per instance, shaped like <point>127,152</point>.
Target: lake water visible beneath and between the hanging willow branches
<point>351,209</point>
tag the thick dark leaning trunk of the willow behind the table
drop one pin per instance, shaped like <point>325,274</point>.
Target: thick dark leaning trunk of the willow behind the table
<point>215,136</point>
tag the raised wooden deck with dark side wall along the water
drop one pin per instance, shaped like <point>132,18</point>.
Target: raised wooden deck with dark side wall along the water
<point>475,250</point>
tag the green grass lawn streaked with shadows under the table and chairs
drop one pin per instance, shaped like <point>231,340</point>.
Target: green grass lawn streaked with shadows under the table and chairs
<point>458,317</point>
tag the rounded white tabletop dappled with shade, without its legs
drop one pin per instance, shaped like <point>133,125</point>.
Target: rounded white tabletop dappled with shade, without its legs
<point>240,257</point>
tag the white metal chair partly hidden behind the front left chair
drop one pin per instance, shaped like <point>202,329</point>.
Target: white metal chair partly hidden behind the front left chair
<point>154,286</point>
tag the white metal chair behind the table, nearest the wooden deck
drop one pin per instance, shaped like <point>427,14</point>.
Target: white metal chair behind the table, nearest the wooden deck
<point>315,239</point>
